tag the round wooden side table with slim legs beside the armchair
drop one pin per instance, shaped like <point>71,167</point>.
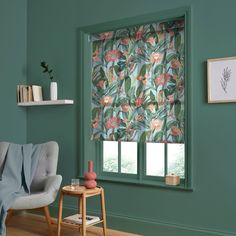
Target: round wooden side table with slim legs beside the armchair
<point>82,193</point>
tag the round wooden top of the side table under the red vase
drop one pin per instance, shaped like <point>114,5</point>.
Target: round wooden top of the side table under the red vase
<point>79,190</point>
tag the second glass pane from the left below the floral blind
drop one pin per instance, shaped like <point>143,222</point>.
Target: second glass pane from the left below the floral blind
<point>129,157</point>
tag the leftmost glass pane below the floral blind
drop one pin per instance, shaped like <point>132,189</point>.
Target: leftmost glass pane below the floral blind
<point>110,156</point>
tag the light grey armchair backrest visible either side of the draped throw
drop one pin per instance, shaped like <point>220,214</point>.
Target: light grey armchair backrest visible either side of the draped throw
<point>47,164</point>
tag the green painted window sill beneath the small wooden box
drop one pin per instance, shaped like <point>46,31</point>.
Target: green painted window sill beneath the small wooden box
<point>148,183</point>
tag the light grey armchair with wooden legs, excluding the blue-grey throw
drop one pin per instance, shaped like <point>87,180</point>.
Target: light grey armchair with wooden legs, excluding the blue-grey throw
<point>45,184</point>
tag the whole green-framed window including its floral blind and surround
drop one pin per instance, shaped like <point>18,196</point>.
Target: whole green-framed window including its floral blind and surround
<point>151,96</point>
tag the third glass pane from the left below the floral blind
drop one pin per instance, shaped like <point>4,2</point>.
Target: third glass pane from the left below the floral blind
<point>155,162</point>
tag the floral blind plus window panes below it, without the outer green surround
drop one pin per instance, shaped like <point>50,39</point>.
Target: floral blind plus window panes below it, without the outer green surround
<point>138,100</point>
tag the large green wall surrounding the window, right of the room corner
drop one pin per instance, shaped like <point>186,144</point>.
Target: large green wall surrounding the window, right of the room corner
<point>210,209</point>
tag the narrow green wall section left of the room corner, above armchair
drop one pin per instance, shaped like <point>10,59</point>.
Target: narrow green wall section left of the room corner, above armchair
<point>13,23</point>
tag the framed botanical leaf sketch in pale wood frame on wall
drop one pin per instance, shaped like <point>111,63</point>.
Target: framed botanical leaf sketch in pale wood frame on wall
<point>221,78</point>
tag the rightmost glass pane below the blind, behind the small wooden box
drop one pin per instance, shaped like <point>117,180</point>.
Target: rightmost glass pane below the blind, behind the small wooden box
<point>176,159</point>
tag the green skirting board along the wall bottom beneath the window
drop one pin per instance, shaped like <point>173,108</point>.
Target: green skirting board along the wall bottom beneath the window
<point>146,227</point>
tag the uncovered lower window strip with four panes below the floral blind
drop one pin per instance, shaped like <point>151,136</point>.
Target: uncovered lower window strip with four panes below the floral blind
<point>160,159</point>
